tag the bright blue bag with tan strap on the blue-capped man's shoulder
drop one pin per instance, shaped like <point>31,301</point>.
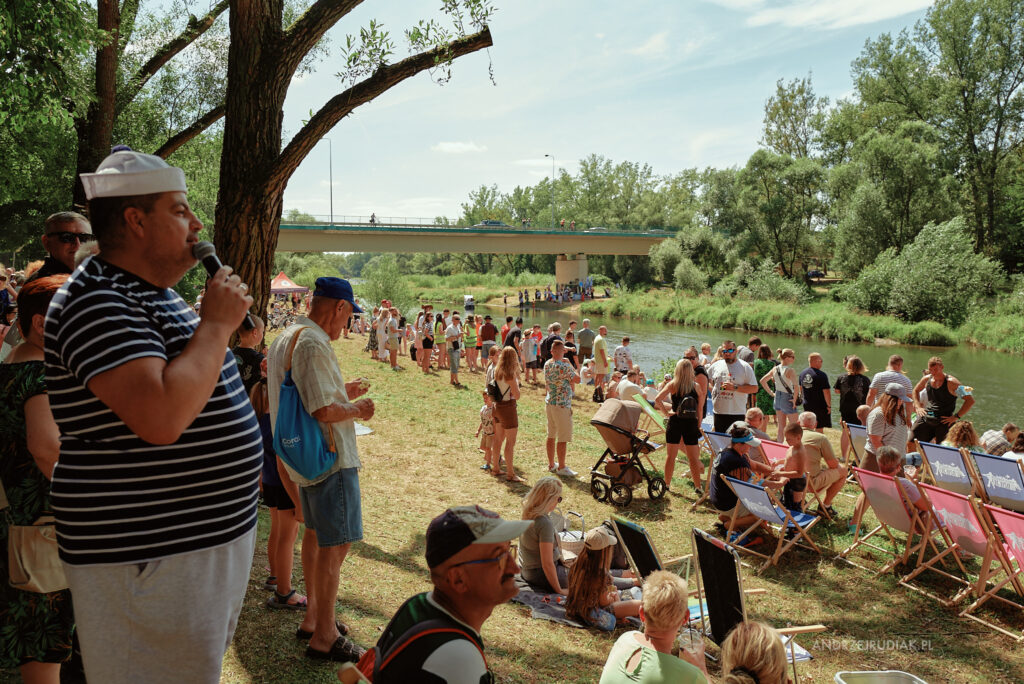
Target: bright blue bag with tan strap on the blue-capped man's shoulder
<point>297,437</point>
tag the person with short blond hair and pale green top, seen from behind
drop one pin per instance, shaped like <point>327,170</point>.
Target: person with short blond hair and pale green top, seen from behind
<point>646,658</point>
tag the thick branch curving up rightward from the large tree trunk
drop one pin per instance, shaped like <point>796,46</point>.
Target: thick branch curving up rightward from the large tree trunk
<point>385,78</point>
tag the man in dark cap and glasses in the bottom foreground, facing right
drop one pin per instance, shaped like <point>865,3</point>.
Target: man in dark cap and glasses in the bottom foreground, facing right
<point>473,567</point>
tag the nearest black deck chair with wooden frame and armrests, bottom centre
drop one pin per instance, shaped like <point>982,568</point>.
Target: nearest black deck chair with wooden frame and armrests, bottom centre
<point>720,584</point>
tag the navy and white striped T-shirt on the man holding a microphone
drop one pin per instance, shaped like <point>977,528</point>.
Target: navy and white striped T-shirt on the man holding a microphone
<point>117,498</point>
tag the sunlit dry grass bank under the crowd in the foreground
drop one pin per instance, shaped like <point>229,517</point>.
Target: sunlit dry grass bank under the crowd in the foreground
<point>422,458</point>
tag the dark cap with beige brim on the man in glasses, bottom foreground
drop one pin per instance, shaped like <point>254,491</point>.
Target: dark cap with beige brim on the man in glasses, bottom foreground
<point>460,527</point>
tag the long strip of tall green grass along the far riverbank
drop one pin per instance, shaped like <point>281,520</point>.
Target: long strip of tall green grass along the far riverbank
<point>822,320</point>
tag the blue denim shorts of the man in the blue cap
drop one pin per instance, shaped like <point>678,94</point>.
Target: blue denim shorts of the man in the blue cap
<point>333,508</point>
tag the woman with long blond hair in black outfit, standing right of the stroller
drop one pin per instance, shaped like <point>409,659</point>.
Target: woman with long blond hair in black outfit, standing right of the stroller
<point>685,426</point>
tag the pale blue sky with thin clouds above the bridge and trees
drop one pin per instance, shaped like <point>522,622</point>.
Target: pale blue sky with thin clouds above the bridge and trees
<point>672,84</point>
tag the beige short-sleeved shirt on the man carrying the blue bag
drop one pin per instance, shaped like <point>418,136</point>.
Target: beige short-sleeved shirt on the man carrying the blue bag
<point>318,376</point>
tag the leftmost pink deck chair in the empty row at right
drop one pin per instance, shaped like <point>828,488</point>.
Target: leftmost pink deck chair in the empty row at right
<point>892,508</point>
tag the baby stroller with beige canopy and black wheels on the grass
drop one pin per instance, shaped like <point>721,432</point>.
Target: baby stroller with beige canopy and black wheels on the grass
<point>620,467</point>
